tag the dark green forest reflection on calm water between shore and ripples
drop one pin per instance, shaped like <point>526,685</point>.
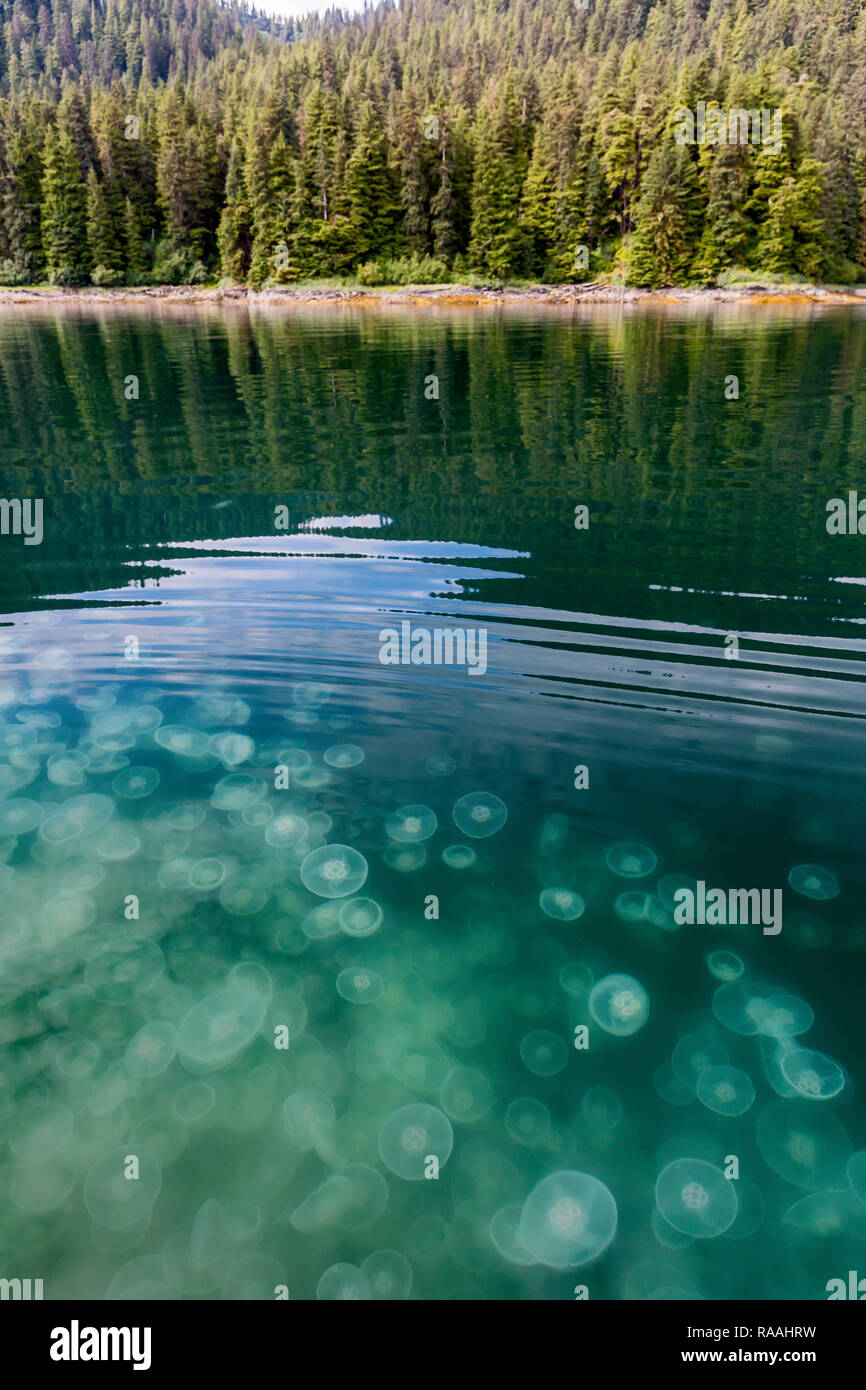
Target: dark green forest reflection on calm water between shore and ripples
<point>329,412</point>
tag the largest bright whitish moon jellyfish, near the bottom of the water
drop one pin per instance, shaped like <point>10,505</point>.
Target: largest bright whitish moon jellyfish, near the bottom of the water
<point>568,1220</point>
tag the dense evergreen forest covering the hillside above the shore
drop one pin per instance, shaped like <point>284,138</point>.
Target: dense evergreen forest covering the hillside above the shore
<point>181,141</point>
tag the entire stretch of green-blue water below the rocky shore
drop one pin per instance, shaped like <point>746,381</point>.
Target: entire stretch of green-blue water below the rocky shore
<point>220,559</point>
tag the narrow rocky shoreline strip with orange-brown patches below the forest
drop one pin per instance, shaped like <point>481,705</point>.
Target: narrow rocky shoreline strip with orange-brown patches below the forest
<point>440,295</point>
